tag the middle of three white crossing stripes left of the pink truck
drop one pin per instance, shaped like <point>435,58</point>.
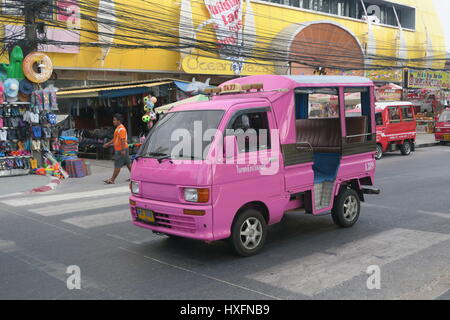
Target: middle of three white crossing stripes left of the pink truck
<point>80,206</point>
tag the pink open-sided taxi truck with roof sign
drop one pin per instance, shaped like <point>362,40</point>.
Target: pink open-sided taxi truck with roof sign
<point>261,147</point>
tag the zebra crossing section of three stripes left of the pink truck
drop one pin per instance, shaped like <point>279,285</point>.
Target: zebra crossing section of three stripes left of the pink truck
<point>87,209</point>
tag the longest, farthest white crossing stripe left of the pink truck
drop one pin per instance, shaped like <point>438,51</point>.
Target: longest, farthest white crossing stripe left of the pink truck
<point>28,201</point>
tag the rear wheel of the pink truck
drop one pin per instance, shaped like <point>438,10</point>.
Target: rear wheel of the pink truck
<point>347,200</point>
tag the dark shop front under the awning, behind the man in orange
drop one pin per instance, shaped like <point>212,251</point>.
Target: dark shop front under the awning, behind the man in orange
<point>92,110</point>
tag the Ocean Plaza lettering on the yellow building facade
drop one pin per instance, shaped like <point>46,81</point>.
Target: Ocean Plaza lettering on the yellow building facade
<point>215,66</point>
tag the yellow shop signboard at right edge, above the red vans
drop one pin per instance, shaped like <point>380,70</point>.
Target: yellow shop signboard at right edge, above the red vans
<point>428,80</point>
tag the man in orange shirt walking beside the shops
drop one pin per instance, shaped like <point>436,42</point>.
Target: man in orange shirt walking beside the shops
<point>120,143</point>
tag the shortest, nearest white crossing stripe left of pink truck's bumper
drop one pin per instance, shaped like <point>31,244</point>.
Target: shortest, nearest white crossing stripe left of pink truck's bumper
<point>100,220</point>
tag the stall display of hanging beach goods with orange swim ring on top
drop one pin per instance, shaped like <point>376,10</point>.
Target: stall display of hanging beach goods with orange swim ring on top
<point>28,105</point>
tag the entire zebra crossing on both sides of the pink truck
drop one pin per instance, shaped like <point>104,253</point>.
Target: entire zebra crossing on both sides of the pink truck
<point>309,275</point>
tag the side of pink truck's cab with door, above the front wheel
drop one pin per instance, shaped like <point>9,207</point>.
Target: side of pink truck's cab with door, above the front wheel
<point>253,174</point>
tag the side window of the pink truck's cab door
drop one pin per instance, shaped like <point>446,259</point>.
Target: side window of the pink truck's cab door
<point>252,131</point>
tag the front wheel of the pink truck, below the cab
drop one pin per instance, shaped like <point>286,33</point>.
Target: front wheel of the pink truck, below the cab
<point>252,223</point>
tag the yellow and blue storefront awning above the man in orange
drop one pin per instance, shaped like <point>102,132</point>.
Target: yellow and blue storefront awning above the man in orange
<point>109,92</point>
